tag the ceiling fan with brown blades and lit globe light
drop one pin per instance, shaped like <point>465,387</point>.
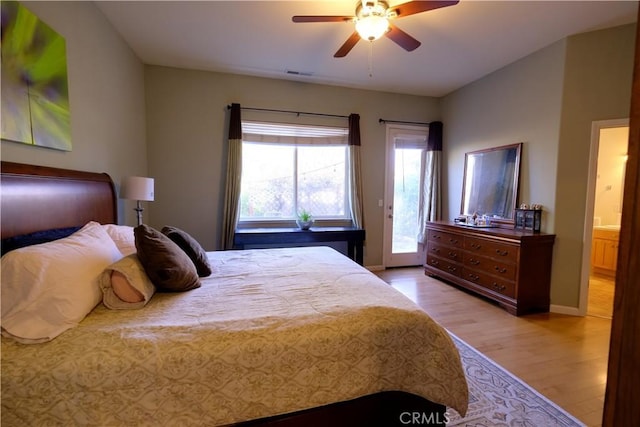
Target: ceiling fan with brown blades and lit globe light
<point>373,20</point>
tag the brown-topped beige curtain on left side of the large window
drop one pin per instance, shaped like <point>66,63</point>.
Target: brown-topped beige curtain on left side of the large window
<point>234,175</point>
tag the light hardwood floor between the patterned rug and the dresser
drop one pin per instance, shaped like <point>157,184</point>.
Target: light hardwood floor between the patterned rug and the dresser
<point>562,357</point>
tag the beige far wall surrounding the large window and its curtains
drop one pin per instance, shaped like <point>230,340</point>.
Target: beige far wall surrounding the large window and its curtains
<point>187,125</point>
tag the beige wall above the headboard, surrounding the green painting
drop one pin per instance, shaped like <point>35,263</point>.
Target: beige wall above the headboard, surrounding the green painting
<point>106,92</point>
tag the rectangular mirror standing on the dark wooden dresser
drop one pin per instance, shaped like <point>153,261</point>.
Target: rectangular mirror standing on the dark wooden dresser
<point>490,183</point>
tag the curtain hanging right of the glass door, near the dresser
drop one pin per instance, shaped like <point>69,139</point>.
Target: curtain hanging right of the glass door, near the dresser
<point>430,208</point>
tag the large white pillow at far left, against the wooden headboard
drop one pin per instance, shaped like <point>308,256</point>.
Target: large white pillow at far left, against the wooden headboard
<point>51,287</point>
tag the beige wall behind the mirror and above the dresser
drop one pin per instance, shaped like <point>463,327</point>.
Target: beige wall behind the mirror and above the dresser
<point>519,103</point>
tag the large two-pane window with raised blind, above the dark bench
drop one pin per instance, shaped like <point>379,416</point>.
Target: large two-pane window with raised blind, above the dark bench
<point>287,168</point>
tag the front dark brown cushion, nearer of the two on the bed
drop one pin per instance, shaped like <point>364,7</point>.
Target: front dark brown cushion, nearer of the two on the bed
<point>168,267</point>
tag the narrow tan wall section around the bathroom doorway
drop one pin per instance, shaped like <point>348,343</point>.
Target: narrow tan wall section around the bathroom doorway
<point>598,75</point>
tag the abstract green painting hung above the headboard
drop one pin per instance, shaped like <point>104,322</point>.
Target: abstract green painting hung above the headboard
<point>35,95</point>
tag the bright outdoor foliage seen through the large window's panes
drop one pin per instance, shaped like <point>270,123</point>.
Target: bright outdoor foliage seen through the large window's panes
<point>279,180</point>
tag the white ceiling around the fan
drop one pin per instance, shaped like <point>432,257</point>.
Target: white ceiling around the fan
<point>460,43</point>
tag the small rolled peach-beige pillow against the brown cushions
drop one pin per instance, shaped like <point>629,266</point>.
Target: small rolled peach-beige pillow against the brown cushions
<point>125,284</point>
